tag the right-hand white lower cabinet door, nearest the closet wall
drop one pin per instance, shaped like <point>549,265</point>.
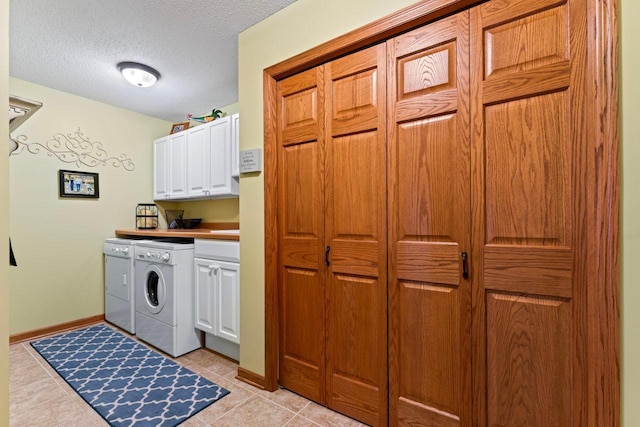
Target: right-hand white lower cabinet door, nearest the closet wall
<point>227,301</point>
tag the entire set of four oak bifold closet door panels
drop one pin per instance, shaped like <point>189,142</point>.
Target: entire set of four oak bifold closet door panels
<point>432,223</point>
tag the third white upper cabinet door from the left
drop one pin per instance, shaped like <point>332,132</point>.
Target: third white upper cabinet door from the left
<point>198,155</point>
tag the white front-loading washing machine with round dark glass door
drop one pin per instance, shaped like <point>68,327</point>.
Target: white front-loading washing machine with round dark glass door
<point>165,296</point>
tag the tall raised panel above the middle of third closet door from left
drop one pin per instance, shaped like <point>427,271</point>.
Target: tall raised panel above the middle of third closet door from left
<point>426,170</point>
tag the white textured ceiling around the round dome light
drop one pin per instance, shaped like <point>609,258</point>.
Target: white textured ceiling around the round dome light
<point>74,46</point>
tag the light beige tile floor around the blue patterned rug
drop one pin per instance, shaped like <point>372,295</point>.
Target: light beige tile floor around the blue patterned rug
<point>40,397</point>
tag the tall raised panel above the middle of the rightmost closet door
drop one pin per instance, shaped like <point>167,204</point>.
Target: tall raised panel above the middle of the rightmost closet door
<point>528,169</point>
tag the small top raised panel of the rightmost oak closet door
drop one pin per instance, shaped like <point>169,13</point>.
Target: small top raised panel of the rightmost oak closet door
<point>527,43</point>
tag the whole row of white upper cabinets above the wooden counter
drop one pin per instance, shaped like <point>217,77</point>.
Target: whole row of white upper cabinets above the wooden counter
<point>197,163</point>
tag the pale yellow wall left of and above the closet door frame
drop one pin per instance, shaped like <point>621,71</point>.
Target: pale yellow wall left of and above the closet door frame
<point>301,26</point>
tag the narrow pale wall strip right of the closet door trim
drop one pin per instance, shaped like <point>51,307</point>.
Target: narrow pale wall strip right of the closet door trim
<point>630,159</point>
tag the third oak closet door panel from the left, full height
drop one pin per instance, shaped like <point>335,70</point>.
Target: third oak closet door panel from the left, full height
<point>429,225</point>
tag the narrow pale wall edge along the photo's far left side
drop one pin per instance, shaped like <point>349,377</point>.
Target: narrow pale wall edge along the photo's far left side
<point>4,217</point>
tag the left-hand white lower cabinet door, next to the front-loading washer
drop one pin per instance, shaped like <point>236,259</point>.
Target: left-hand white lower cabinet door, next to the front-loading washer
<point>204,286</point>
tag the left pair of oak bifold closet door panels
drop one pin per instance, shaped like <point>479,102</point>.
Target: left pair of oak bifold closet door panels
<point>332,239</point>
